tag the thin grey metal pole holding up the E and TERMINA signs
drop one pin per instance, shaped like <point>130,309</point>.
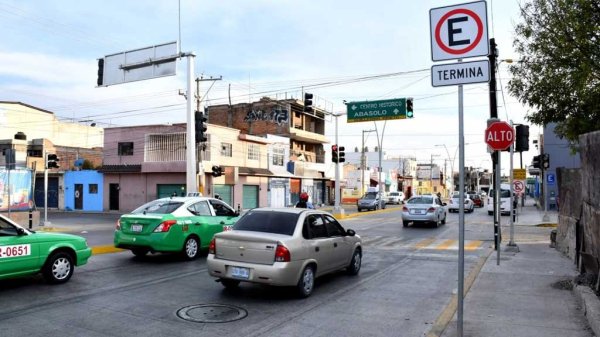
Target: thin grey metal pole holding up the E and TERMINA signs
<point>461,215</point>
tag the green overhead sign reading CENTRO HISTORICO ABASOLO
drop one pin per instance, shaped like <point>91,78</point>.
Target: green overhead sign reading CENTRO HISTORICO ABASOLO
<point>376,110</point>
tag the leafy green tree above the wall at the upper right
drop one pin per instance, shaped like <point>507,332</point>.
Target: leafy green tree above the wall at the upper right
<point>558,75</point>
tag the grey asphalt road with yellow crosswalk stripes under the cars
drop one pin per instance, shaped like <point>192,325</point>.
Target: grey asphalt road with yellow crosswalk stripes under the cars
<point>406,282</point>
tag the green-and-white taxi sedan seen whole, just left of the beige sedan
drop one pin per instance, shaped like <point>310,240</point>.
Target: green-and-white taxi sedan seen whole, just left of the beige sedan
<point>175,224</point>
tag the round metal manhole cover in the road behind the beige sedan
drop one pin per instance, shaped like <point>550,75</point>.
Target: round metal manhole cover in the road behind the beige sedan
<point>211,313</point>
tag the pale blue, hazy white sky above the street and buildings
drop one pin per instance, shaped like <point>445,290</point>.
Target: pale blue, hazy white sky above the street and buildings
<point>337,50</point>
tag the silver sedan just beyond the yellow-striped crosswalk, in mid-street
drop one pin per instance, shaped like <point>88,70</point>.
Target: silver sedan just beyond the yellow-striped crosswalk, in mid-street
<point>424,209</point>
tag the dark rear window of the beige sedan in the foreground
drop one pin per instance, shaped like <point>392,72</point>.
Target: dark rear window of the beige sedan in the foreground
<point>268,222</point>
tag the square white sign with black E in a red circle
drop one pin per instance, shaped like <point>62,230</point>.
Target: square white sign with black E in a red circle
<point>459,31</point>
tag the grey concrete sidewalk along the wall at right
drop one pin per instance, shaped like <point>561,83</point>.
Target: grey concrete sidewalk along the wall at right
<point>530,293</point>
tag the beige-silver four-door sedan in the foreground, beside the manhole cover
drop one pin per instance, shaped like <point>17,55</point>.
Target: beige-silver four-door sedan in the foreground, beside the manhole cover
<point>283,247</point>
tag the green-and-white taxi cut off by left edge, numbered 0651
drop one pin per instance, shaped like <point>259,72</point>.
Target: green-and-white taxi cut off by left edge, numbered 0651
<point>24,252</point>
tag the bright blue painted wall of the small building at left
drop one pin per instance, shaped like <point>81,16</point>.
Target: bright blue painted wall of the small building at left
<point>91,201</point>
